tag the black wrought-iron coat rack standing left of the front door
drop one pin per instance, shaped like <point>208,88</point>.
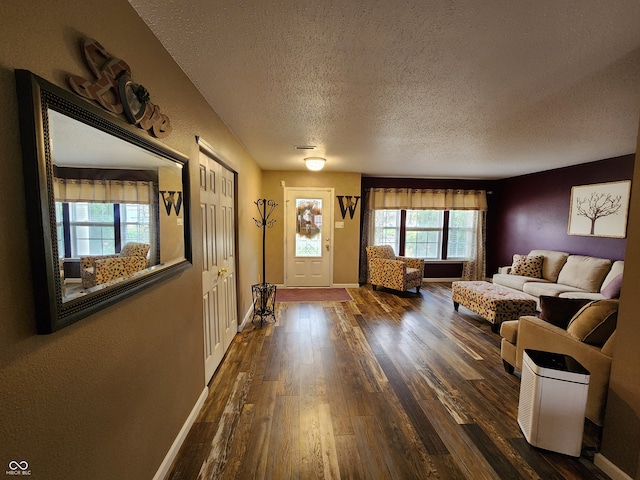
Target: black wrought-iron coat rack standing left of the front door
<point>264,294</point>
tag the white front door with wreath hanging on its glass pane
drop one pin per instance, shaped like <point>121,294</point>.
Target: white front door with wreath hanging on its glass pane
<point>309,239</point>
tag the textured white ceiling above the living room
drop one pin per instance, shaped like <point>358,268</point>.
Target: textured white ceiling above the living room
<point>414,88</point>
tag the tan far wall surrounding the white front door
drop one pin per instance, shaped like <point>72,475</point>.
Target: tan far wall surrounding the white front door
<point>346,241</point>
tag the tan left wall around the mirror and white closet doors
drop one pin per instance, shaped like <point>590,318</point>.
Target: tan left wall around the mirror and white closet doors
<point>105,397</point>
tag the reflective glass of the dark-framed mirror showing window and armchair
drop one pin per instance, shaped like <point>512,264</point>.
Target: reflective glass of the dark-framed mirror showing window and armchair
<point>118,208</point>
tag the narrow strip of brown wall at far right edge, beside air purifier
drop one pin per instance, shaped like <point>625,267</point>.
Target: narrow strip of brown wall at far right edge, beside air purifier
<point>621,433</point>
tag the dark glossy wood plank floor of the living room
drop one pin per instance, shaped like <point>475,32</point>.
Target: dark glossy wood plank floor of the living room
<point>396,386</point>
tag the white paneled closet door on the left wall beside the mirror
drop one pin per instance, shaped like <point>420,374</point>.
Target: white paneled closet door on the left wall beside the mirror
<point>219,304</point>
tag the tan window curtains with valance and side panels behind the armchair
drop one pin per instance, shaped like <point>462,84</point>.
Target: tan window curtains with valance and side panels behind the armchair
<point>430,199</point>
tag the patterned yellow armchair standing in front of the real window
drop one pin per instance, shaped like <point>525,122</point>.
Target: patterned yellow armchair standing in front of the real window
<point>398,273</point>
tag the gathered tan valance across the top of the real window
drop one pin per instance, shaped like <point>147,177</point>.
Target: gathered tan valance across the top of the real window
<point>426,199</point>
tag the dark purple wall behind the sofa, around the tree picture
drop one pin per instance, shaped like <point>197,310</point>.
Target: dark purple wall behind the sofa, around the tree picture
<point>532,212</point>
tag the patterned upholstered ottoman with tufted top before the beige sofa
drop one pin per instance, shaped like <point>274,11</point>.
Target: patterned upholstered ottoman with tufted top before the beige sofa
<point>492,302</point>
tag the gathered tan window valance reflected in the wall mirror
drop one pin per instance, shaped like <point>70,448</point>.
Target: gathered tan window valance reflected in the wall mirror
<point>105,191</point>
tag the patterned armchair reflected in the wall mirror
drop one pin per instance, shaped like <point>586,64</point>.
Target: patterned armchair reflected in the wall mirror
<point>101,269</point>
